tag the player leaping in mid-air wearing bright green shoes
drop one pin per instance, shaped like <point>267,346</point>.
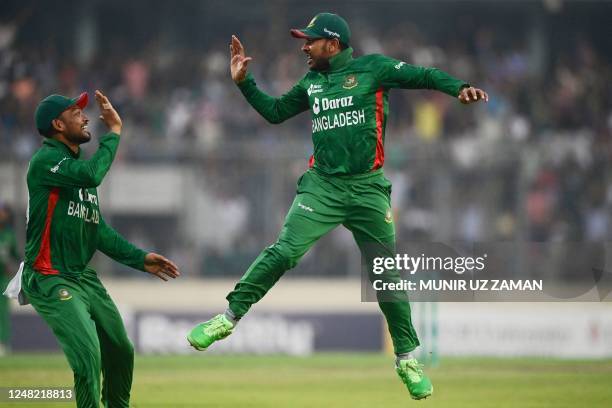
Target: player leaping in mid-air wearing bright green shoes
<point>345,184</point>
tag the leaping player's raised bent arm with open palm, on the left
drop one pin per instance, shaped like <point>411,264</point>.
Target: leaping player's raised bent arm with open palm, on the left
<point>274,110</point>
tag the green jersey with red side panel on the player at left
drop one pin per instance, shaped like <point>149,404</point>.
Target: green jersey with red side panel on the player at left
<point>64,223</point>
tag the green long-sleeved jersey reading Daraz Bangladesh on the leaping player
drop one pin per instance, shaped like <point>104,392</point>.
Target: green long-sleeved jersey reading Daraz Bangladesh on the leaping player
<point>349,107</point>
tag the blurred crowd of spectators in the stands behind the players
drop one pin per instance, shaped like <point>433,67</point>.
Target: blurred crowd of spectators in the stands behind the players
<point>533,164</point>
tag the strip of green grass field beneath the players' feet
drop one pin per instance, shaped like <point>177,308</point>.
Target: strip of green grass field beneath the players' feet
<point>334,380</point>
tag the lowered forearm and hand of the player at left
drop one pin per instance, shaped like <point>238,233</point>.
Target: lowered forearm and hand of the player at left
<point>111,243</point>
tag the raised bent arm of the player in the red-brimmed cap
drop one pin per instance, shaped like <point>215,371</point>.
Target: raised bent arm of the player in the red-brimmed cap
<point>59,169</point>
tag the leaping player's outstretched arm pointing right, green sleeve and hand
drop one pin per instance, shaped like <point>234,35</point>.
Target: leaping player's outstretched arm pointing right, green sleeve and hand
<point>393,73</point>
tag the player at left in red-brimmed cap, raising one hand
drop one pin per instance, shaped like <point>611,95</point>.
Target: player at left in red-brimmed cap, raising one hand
<point>64,229</point>
